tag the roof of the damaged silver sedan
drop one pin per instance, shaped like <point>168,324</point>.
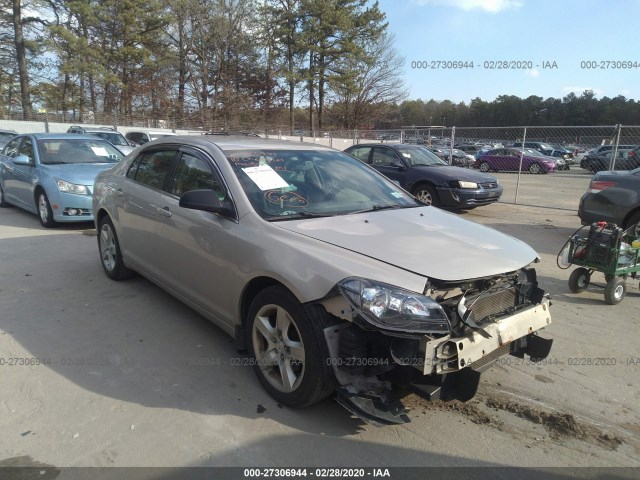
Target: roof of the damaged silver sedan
<point>241,142</point>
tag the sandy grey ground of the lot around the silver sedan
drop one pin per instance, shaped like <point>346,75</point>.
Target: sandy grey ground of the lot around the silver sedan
<point>134,378</point>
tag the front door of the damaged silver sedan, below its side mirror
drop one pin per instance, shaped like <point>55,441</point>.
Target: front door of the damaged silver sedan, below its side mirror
<point>196,249</point>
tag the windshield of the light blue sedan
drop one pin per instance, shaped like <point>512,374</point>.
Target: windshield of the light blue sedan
<point>61,151</point>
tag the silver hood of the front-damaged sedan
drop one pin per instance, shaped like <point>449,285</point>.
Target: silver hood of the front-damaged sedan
<point>423,240</point>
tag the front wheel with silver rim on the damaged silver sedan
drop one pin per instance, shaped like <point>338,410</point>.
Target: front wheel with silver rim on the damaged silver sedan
<point>287,344</point>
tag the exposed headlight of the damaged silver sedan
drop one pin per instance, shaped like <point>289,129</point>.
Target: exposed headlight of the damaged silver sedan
<point>391,308</point>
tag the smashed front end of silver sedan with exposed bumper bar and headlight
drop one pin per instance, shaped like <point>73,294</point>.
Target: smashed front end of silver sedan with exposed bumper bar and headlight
<point>435,344</point>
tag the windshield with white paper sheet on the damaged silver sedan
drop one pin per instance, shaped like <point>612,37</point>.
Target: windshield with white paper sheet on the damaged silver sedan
<point>286,184</point>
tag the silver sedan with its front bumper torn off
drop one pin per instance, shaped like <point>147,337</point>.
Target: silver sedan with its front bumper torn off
<point>331,277</point>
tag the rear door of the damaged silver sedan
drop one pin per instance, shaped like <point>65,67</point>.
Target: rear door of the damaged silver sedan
<point>140,209</point>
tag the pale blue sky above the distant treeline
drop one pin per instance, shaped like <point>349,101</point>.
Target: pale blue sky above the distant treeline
<point>553,45</point>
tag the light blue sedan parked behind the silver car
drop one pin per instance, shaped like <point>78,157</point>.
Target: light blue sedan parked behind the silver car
<point>52,175</point>
